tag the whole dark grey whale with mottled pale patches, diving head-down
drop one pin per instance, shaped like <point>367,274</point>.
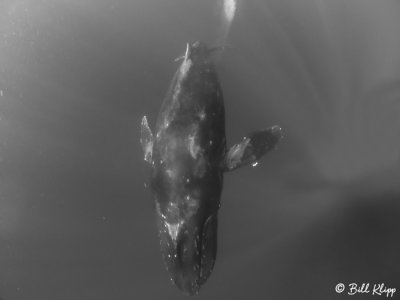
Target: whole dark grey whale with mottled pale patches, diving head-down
<point>188,156</point>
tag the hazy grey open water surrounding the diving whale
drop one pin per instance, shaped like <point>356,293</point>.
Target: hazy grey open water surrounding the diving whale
<point>76,77</point>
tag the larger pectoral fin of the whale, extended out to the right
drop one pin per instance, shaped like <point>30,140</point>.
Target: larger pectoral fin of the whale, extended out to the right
<point>252,148</point>
